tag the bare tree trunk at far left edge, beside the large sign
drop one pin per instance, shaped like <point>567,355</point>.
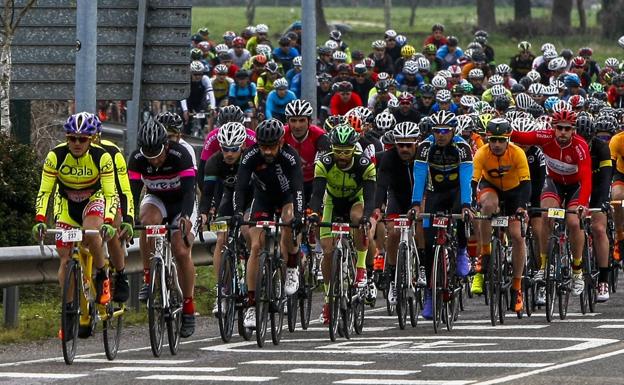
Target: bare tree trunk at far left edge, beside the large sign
<point>9,21</point>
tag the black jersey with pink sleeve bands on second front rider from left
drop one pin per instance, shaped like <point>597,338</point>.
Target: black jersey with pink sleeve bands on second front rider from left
<point>173,182</point>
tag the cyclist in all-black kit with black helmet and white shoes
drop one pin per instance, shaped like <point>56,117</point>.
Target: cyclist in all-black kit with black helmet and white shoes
<point>274,170</point>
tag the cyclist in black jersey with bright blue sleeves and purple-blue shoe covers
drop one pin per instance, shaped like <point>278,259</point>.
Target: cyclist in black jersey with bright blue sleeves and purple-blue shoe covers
<point>447,160</point>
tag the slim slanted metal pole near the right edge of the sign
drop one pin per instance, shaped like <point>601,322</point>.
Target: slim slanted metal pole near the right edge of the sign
<point>134,105</point>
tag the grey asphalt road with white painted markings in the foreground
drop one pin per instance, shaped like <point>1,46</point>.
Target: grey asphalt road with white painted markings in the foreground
<point>579,350</point>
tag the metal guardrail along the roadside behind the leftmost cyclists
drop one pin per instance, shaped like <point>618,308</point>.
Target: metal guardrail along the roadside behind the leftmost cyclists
<point>23,265</point>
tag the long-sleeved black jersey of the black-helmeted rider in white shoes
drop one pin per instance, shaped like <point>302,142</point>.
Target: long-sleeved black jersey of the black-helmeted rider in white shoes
<point>275,180</point>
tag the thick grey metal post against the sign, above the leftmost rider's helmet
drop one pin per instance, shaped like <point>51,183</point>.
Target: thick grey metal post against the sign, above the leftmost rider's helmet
<point>86,67</point>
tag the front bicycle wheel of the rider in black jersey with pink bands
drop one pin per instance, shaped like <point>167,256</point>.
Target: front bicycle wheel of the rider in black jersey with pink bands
<point>155,307</point>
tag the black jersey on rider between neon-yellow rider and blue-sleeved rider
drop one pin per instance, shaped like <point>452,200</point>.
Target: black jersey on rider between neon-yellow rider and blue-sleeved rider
<point>395,182</point>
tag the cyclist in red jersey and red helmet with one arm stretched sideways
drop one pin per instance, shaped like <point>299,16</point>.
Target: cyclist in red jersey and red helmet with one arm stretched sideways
<point>568,184</point>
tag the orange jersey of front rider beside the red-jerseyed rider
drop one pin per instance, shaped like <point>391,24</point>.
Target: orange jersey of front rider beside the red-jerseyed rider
<point>505,171</point>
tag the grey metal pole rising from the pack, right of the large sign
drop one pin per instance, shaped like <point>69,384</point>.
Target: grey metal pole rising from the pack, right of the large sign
<point>308,48</point>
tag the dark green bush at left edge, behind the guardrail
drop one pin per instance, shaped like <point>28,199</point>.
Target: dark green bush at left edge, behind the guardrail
<point>19,183</point>
